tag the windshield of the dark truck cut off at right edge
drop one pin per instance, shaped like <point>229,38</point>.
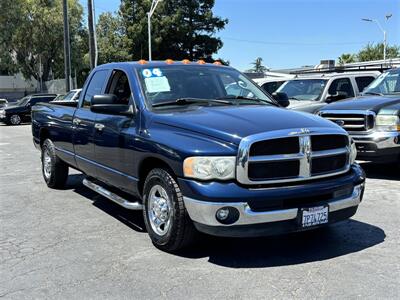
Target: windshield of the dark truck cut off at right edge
<point>386,83</point>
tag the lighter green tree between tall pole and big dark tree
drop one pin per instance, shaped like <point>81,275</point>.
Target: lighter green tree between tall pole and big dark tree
<point>110,38</point>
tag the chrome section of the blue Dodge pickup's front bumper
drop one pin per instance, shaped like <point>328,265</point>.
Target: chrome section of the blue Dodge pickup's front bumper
<point>205,212</point>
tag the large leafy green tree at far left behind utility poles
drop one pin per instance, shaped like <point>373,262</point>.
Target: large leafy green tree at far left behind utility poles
<point>31,35</point>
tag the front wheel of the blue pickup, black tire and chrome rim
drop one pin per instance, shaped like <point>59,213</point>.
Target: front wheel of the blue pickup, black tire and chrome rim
<point>166,219</point>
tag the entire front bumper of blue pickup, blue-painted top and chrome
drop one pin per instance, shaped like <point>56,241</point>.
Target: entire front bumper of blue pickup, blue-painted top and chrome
<point>252,221</point>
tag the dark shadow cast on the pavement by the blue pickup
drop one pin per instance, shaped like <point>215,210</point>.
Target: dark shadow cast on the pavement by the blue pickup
<point>321,244</point>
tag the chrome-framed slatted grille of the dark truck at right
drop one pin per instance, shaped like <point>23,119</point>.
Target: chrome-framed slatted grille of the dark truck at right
<point>352,122</point>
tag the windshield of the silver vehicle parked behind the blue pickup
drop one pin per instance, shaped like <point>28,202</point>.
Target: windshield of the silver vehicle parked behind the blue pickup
<point>303,89</point>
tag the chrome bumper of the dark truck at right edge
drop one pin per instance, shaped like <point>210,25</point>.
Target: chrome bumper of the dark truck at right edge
<point>382,140</point>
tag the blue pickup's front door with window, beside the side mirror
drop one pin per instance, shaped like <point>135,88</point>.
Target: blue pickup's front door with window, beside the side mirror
<point>114,137</point>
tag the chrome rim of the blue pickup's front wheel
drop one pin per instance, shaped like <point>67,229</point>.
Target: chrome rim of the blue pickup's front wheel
<point>159,210</point>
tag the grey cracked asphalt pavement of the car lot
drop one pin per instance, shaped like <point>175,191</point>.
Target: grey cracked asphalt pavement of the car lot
<point>75,244</point>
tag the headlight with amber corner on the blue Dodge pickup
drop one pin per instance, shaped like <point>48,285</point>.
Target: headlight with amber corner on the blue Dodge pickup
<point>210,167</point>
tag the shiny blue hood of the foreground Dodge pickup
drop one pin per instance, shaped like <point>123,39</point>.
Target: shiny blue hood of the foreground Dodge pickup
<point>232,124</point>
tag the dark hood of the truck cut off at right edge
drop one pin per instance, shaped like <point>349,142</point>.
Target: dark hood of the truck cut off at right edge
<point>372,103</point>
